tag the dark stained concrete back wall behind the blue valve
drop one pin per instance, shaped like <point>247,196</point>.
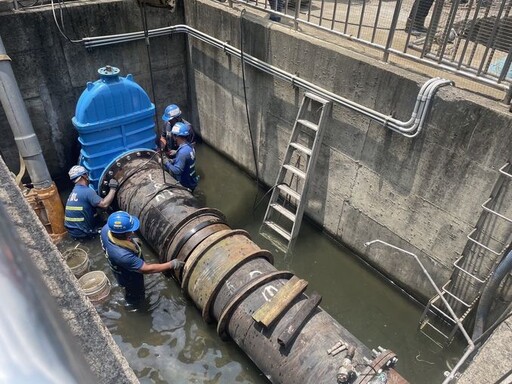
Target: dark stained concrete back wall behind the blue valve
<point>52,72</point>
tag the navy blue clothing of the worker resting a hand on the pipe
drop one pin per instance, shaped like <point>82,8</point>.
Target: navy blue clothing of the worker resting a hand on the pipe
<point>125,265</point>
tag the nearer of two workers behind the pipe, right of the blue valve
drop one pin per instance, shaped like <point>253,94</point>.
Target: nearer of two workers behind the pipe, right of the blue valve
<point>183,165</point>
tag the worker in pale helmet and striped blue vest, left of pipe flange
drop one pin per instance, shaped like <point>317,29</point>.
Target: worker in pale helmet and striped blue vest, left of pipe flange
<point>80,217</point>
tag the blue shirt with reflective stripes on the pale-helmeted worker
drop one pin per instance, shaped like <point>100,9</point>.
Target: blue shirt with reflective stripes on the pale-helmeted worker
<point>80,220</point>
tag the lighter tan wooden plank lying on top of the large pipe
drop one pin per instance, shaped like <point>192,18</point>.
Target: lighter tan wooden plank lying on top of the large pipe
<point>271,310</point>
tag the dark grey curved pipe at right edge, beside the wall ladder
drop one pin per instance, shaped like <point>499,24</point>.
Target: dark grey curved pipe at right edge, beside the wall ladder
<point>488,294</point>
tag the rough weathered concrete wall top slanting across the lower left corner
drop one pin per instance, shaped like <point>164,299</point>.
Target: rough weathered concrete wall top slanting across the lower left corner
<point>92,337</point>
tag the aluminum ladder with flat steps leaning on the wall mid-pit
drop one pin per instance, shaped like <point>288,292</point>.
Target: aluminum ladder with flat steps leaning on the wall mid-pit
<point>288,200</point>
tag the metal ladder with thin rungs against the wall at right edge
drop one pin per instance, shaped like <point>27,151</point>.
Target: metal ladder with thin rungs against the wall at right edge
<point>487,244</point>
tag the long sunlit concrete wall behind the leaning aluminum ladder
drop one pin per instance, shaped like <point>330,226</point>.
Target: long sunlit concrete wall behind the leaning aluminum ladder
<point>421,194</point>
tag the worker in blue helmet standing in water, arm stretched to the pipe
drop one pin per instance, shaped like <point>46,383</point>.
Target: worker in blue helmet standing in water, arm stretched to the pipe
<point>123,250</point>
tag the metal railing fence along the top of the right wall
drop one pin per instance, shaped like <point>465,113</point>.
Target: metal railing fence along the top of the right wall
<point>470,38</point>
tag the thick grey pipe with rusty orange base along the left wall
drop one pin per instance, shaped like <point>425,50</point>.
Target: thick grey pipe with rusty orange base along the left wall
<point>44,197</point>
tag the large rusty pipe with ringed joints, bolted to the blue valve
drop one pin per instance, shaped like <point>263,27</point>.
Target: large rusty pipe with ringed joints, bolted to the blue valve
<point>230,279</point>
